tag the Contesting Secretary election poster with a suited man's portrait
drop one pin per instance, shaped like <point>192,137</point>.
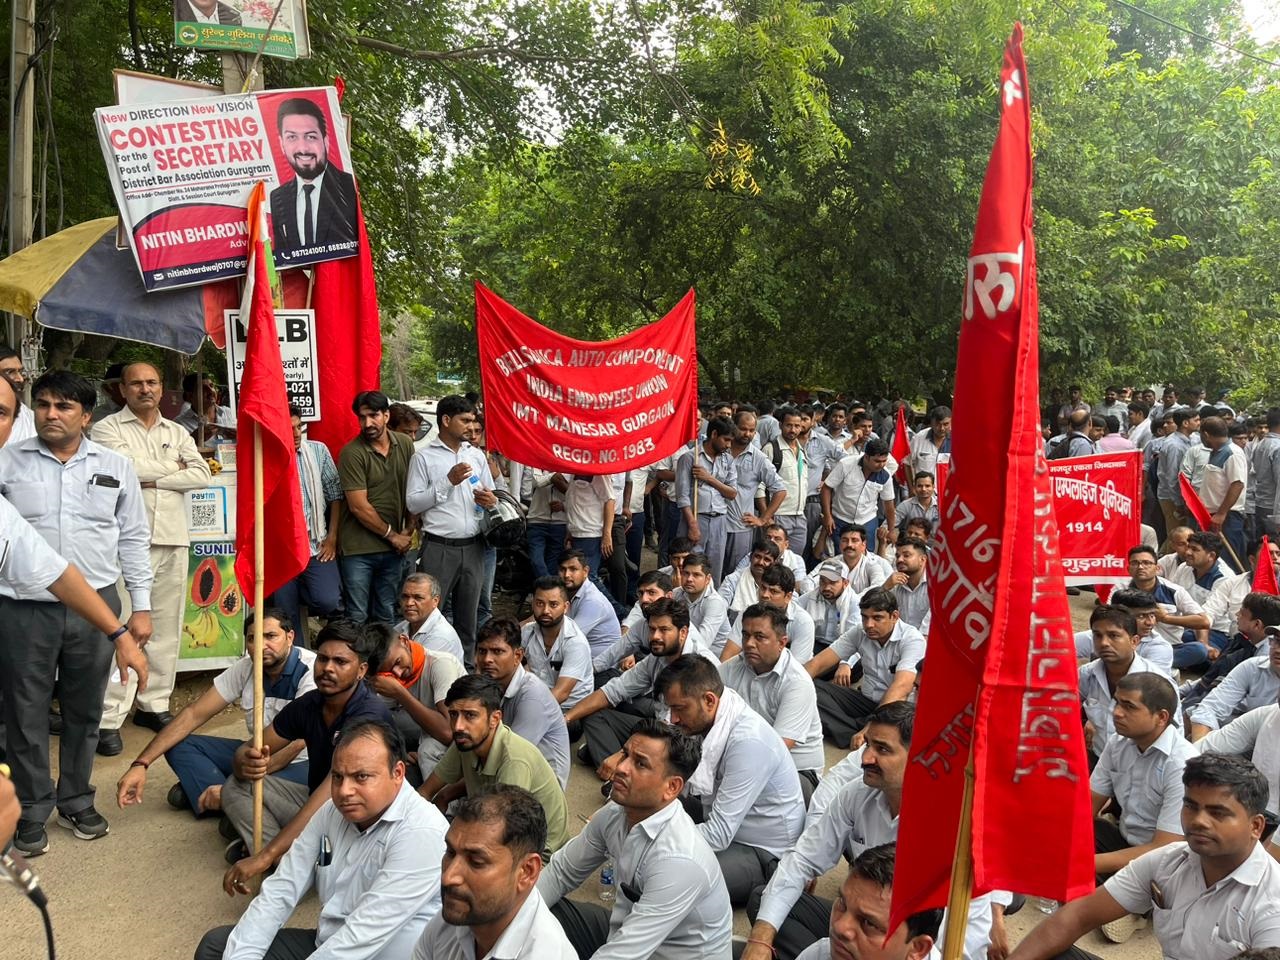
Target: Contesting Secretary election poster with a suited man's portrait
<point>182,173</point>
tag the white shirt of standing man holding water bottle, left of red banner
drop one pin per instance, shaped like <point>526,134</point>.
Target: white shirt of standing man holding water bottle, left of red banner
<point>447,509</point>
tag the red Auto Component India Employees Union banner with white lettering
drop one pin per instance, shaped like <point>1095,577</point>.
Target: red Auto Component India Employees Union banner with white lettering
<point>557,404</point>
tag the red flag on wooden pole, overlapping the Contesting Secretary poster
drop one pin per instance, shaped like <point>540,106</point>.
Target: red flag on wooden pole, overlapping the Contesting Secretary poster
<point>266,405</point>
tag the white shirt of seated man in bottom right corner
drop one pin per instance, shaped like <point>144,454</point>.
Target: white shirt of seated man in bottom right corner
<point>1240,912</point>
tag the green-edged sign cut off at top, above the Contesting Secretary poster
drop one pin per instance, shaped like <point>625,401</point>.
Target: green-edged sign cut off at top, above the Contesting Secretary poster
<point>241,26</point>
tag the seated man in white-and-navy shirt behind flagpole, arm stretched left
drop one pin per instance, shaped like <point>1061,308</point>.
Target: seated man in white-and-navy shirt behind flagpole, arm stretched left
<point>204,764</point>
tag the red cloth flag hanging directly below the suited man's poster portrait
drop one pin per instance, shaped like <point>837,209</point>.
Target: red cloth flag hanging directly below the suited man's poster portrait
<point>350,339</point>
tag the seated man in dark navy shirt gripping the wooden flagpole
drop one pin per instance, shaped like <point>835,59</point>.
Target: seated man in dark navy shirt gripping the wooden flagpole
<point>345,653</point>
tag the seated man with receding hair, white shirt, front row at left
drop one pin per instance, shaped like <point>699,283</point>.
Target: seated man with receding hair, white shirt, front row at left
<point>372,853</point>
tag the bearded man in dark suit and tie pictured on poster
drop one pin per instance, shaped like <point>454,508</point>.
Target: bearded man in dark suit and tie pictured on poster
<point>318,207</point>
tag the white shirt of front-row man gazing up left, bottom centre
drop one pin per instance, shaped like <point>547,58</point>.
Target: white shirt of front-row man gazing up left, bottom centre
<point>683,912</point>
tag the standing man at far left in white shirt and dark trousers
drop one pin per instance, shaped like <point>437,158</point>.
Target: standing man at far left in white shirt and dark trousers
<point>85,501</point>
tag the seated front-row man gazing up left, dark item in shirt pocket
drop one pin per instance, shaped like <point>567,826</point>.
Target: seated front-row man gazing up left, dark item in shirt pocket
<point>673,903</point>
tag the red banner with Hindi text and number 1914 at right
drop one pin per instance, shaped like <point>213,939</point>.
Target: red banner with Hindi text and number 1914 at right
<point>1099,506</point>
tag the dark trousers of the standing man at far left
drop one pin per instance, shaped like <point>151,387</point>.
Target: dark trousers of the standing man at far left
<point>40,642</point>
